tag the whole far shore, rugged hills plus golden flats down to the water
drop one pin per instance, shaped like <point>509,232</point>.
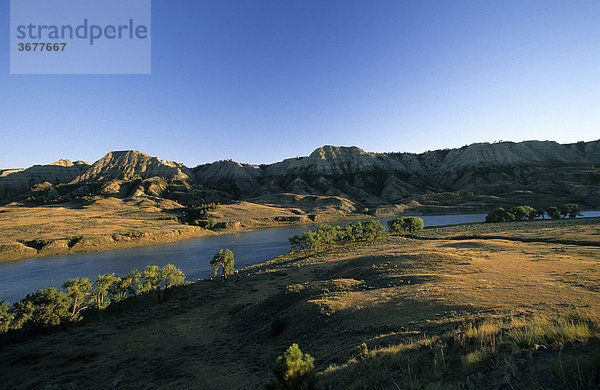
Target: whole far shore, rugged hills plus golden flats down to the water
<point>128,198</point>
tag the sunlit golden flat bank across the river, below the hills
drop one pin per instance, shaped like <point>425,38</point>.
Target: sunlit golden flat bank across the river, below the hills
<point>109,224</point>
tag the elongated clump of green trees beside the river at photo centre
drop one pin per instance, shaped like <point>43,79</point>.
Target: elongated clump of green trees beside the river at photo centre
<point>325,235</point>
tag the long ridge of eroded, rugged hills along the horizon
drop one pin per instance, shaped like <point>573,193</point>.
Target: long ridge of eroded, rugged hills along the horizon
<point>484,174</point>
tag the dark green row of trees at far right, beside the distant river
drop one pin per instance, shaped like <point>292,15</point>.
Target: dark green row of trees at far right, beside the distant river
<point>522,213</point>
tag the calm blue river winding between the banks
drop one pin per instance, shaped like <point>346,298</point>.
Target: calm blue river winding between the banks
<point>20,277</point>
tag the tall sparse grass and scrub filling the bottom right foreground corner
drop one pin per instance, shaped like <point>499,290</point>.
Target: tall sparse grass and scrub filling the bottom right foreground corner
<point>485,347</point>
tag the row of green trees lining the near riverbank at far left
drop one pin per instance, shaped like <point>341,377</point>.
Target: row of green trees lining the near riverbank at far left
<point>51,307</point>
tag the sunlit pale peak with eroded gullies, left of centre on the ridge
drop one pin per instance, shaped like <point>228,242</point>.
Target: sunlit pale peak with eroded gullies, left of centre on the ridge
<point>129,165</point>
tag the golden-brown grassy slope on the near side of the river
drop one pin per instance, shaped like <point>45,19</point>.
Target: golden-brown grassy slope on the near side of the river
<point>471,306</point>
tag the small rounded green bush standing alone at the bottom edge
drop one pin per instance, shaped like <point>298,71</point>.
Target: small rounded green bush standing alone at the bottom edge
<point>293,368</point>
